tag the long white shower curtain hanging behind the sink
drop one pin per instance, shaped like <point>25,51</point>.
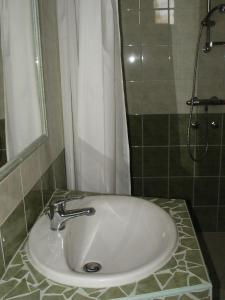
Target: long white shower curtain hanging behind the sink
<point>96,141</point>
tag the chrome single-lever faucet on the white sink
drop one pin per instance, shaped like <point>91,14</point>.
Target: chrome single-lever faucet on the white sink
<point>58,214</point>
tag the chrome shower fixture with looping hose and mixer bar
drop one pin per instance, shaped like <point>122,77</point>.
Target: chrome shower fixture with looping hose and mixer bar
<point>195,101</point>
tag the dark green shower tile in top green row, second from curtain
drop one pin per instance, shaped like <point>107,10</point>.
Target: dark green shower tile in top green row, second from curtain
<point>155,130</point>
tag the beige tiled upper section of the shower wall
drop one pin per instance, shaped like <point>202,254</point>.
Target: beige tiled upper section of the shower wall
<point>159,40</point>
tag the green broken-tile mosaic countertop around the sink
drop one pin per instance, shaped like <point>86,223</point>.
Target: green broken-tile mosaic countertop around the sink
<point>183,277</point>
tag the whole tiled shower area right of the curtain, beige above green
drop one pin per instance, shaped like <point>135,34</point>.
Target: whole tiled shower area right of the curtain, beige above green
<point>159,40</point>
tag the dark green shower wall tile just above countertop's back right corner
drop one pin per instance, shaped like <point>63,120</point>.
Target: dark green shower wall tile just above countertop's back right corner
<point>181,188</point>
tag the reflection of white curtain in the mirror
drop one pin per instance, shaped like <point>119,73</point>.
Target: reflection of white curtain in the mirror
<point>22,107</point>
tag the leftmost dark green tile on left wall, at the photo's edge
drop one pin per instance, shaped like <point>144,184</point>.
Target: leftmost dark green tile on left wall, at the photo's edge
<point>13,232</point>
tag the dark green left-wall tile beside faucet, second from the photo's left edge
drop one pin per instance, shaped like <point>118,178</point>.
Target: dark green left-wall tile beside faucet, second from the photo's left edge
<point>33,205</point>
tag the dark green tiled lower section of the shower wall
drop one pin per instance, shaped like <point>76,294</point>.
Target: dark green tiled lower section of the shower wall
<point>162,167</point>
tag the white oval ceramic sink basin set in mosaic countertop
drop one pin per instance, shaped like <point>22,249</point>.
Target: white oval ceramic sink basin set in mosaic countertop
<point>126,240</point>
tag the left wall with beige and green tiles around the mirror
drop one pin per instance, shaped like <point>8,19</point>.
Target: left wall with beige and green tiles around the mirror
<point>25,190</point>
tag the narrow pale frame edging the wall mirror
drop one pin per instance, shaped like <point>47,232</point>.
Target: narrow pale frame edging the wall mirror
<point>18,159</point>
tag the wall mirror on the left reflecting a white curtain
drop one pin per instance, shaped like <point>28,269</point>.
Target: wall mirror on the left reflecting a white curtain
<point>22,110</point>
